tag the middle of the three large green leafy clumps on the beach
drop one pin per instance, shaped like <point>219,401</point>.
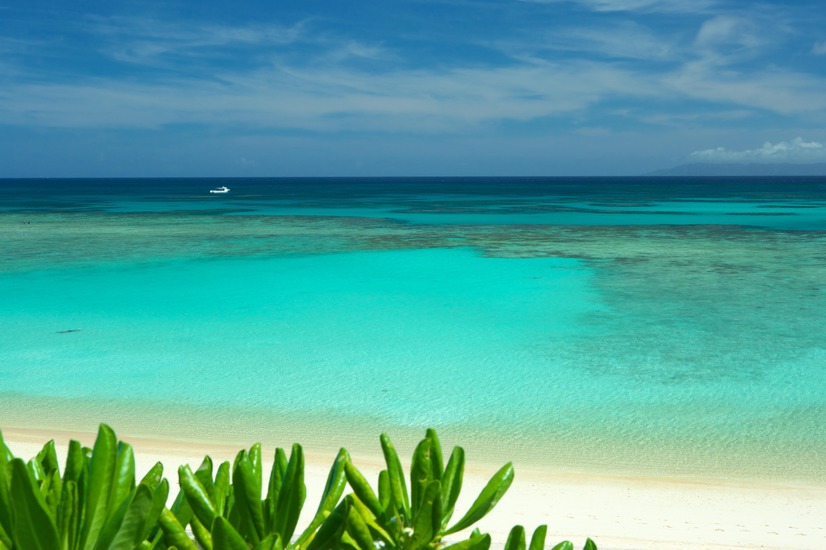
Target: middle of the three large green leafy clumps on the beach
<point>233,514</point>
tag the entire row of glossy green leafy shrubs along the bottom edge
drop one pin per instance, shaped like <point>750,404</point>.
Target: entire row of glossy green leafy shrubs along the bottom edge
<point>96,503</point>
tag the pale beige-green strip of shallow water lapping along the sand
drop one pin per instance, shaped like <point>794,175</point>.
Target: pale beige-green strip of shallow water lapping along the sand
<point>563,453</point>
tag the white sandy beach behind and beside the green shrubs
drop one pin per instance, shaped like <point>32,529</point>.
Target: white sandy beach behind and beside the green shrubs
<point>620,513</point>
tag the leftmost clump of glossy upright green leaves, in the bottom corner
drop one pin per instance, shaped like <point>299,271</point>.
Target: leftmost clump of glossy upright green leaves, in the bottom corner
<point>94,505</point>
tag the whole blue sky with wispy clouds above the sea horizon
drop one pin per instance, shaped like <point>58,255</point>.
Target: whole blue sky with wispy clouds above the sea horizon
<point>179,88</point>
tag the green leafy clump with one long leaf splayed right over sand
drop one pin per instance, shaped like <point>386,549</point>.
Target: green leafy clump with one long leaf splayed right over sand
<point>422,519</point>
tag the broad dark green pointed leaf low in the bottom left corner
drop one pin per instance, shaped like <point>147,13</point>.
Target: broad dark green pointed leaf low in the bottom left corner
<point>33,527</point>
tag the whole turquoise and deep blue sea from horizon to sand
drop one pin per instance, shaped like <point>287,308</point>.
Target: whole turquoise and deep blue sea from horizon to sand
<point>670,326</point>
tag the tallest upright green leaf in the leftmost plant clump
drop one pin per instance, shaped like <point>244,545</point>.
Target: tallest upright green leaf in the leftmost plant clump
<point>101,473</point>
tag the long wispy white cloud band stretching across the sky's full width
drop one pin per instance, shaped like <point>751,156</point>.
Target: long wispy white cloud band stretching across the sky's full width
<point>333,97</point>
